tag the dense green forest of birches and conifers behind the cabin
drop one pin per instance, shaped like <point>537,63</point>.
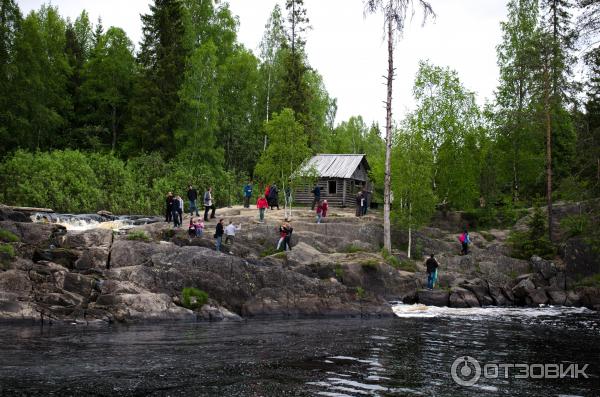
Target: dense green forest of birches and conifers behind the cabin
<point>90,121</point>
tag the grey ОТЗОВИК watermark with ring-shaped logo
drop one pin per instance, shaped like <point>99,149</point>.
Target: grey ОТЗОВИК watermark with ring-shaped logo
<point>466,371</point>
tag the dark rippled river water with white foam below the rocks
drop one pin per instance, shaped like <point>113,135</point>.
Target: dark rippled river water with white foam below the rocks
<point>411,355</point>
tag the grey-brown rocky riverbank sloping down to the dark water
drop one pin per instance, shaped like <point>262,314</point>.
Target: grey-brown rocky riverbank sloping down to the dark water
<point>335,269</point>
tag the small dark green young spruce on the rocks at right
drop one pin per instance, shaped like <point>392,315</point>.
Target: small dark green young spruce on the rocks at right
<point>534,241</point>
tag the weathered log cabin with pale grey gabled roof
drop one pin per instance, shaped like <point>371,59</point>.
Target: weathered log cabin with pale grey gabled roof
<point>341,176</point>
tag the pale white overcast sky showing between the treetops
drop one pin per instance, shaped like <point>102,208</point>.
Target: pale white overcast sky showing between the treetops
<point>347,48</point>
